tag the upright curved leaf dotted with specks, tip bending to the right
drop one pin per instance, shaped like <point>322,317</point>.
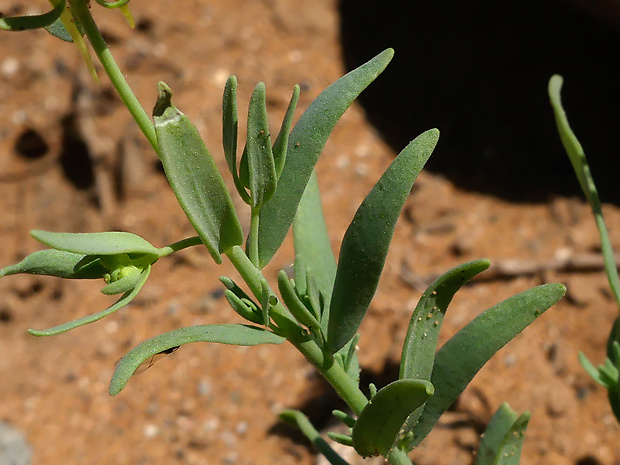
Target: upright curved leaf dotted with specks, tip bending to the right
<point>418,354</point>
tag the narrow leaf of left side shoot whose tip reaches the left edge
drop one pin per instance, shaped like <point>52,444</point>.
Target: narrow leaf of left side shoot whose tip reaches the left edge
<point>59,263</point>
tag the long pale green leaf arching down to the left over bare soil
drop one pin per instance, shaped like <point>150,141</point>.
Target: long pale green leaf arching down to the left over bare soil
<point>240,335</point>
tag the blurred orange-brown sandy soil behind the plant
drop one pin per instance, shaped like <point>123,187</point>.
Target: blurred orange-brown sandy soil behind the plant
<point>210,404</point>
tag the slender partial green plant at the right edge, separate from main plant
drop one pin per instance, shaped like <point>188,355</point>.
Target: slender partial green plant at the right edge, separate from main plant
<point>607,375</point>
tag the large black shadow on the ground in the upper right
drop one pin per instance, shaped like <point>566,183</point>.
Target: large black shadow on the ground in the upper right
<point>478,71</point>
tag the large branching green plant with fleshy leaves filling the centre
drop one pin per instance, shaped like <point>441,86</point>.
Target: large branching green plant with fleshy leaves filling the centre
<point>320,310</point>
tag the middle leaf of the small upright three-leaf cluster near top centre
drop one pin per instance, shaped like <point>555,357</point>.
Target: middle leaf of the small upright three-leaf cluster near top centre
<point>261,166</point>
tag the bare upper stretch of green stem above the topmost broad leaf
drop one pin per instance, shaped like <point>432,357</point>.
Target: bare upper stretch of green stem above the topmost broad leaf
<point>81,13</point>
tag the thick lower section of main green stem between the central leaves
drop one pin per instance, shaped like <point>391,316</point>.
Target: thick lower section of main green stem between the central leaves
<point>346,387</point>
